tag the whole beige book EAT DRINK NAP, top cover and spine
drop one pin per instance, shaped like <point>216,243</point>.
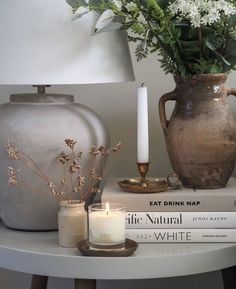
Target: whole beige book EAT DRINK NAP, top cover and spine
<point>183,200</point>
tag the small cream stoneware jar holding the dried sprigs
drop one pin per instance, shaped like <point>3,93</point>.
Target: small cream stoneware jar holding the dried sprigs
<point>72,223</point>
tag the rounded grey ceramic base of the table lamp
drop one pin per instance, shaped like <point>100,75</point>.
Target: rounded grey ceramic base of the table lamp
<point>38,124</point>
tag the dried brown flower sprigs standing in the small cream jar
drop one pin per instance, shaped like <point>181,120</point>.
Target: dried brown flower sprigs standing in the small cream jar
<point>72,185</point>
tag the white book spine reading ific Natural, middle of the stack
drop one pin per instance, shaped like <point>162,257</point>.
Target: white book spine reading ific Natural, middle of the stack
<point>153,220</point>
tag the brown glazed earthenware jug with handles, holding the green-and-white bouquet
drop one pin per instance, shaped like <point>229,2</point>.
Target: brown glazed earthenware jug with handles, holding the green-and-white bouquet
<point>201,134</point>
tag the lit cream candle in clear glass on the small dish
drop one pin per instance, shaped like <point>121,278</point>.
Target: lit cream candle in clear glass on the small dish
<point>106,226</point>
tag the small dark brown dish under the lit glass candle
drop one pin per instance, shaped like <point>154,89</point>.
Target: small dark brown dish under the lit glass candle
<point>130,248</point>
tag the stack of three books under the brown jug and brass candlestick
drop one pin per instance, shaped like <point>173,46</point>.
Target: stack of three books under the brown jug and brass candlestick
<point>184,215</point>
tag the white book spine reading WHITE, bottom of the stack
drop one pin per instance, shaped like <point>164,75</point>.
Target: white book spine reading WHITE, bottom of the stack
<point>181,235</point>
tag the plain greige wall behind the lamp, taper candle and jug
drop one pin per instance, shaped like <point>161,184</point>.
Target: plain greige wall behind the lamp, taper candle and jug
<point>116,104</point>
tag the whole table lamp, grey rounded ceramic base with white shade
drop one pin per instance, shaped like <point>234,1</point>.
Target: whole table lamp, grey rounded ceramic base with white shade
<point>41,45</point>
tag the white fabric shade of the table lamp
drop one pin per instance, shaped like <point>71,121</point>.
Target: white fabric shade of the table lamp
<point>40,44</point>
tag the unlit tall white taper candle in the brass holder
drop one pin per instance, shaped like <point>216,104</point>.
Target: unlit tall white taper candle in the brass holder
<point>142,130</point>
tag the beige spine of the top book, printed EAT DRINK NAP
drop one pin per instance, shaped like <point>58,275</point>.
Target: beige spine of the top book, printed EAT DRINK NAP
<point>174,203</point>
